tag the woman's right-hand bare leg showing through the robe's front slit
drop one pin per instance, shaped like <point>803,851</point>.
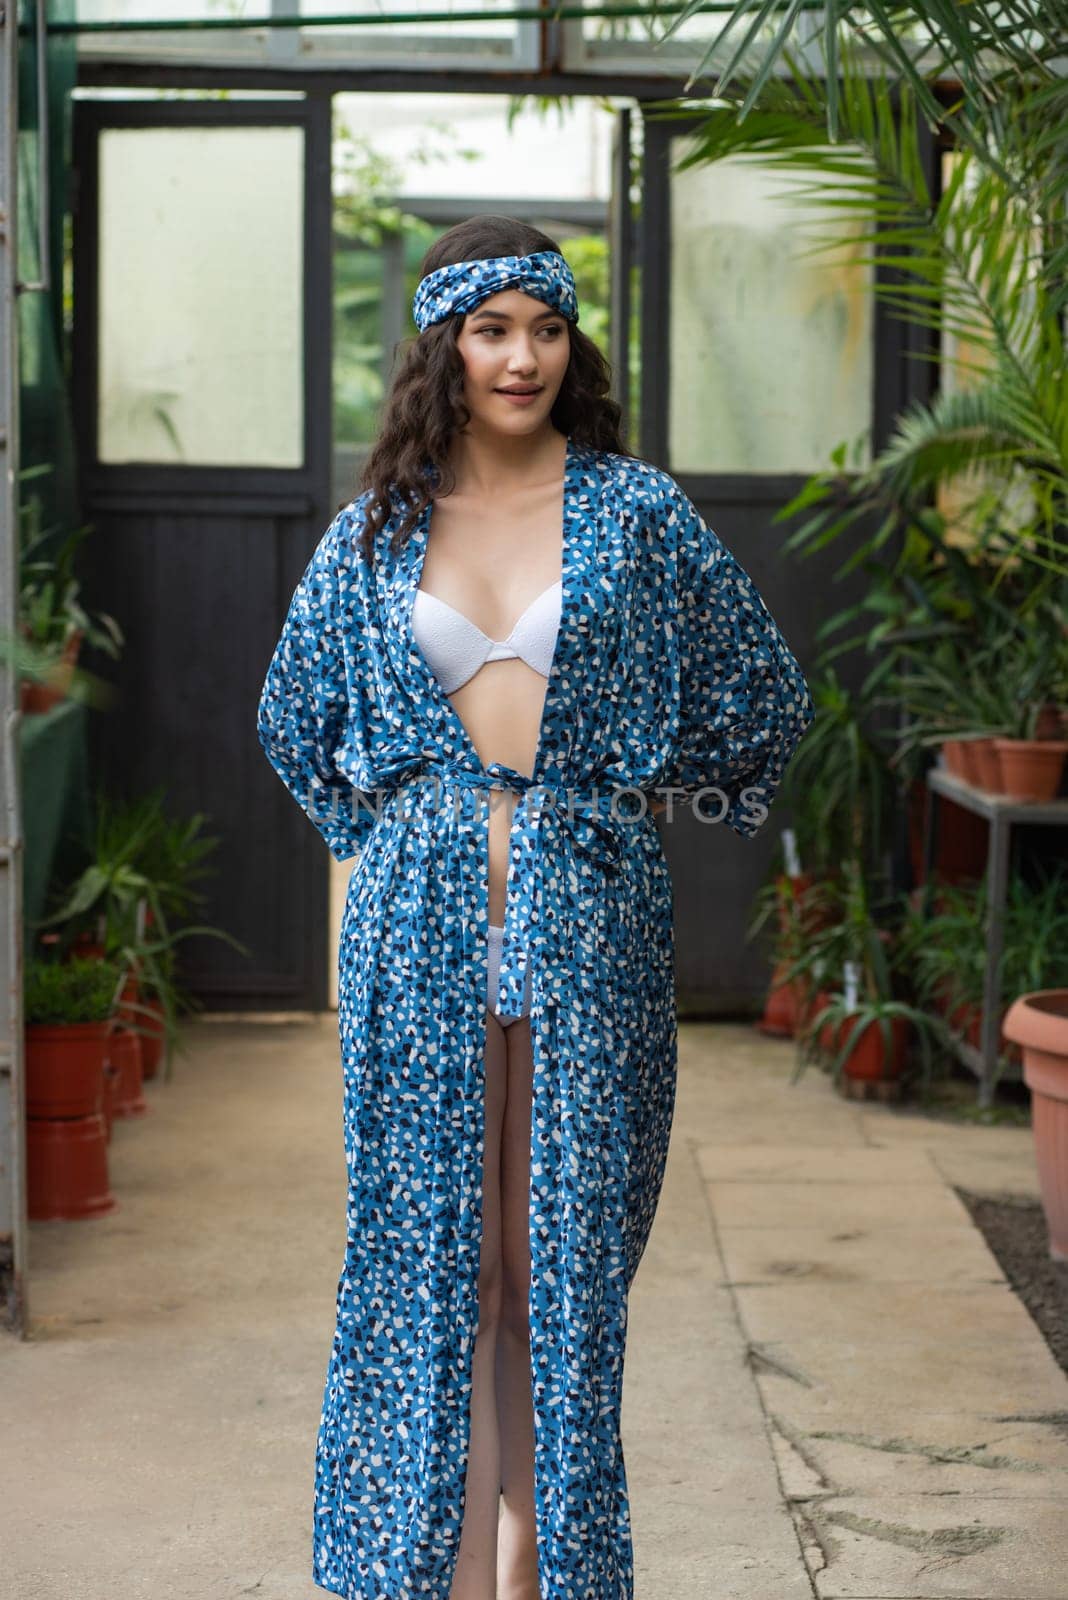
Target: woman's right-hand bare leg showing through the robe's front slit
<point>517,1550</point>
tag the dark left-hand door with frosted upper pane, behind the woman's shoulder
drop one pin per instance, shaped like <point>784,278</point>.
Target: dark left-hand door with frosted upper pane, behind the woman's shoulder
<point>204,412</point>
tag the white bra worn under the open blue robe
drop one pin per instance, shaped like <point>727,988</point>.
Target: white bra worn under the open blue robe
<point>456,649</point>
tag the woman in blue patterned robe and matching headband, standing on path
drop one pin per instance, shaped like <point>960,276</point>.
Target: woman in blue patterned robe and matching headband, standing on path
<point>500,650</point>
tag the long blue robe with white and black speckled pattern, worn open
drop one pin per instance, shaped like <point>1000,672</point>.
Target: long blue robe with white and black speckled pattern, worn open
<point>669,670</point>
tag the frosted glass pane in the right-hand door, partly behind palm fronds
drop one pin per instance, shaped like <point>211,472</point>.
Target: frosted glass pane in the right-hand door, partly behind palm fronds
<point>771,356</point>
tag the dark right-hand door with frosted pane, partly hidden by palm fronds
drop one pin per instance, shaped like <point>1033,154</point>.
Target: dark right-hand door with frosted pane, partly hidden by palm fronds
<point>755,364</point>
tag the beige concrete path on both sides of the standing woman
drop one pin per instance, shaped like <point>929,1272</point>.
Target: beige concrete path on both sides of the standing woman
<point>831,1390</point>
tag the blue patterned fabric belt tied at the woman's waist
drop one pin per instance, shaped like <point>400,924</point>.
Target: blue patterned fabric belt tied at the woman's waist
<point>584,817</point>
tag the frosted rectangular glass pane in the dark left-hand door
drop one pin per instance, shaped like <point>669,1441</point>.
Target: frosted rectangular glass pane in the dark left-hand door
<point>201,297</point>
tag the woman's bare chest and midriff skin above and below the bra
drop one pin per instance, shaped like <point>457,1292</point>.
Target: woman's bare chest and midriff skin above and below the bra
<point>492,562</point>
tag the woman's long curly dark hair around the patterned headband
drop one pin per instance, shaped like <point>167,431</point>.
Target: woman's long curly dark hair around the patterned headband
<point>410,462</point>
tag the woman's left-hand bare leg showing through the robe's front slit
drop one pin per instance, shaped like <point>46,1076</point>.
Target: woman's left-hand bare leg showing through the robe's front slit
<point>477,1558</point>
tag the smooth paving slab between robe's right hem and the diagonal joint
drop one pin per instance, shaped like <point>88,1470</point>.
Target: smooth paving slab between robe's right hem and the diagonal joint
<point>701,1468</point>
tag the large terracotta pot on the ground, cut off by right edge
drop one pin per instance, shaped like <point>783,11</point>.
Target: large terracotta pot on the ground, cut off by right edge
<point>1040,1025</point>
